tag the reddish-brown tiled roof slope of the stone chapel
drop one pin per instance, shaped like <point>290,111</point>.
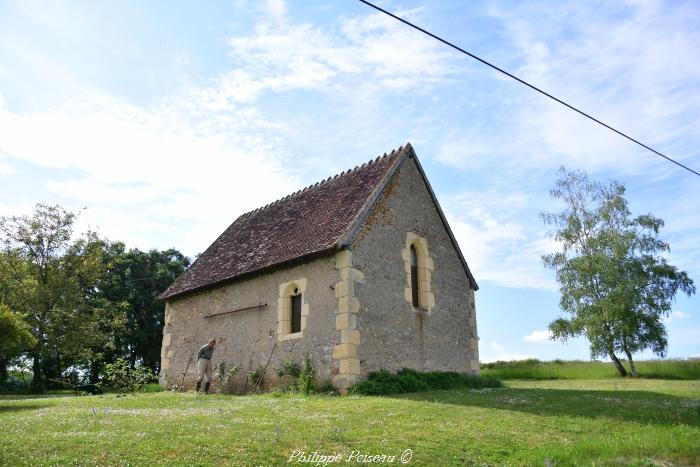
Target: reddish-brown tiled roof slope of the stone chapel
<point>310,221</point>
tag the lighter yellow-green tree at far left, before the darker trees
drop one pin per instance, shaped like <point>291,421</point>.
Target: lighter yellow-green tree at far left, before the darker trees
<point>49,277</point>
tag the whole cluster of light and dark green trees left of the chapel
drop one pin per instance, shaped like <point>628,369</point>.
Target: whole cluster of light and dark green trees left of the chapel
<point>86,301</point>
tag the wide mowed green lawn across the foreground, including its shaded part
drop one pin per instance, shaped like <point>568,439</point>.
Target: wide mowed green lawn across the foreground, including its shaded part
<point>562,422</point>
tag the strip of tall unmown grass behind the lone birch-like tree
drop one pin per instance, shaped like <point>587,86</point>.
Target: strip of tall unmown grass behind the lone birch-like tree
<point>578,369</point>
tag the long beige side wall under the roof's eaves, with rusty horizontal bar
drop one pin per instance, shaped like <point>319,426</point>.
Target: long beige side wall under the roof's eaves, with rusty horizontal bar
<point>243,333</point>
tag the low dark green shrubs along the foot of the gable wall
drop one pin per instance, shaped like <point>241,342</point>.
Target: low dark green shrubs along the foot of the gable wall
<point>383,382</point>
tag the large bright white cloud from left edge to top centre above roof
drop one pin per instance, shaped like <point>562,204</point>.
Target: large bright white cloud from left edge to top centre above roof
<point>179,169</point>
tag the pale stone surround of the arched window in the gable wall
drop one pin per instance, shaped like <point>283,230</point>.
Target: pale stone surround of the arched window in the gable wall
<point>425,267</point>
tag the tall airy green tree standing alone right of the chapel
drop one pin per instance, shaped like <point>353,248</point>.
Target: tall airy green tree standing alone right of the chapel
<point>615,282</point>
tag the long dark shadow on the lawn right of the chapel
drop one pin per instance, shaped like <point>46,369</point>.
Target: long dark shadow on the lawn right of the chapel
<point>629,406</point>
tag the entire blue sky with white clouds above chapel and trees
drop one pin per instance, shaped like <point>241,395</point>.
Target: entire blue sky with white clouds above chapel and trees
<point>166,120</point>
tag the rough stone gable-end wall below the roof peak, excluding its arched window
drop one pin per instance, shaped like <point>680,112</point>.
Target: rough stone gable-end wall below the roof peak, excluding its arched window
<point>394,334</point>
